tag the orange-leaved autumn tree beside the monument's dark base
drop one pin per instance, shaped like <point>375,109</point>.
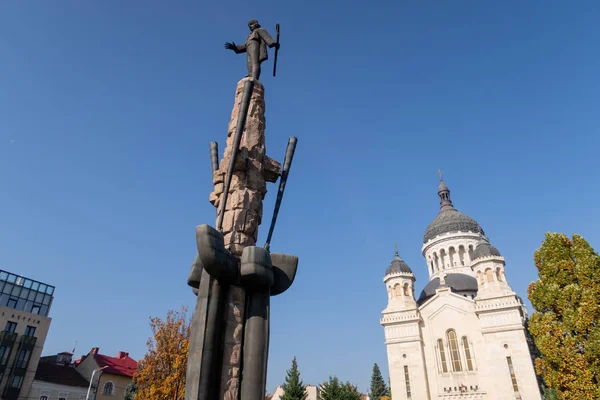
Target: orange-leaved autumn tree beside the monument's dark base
<point>161,374</point>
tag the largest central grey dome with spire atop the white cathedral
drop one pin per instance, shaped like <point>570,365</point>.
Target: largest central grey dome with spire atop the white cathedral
<point>449,219</point>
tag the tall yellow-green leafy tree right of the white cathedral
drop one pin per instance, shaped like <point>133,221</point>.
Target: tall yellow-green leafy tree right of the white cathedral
<point>565,325</point>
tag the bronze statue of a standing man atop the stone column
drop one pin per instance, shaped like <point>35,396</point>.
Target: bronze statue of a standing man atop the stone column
<point>255,47</point>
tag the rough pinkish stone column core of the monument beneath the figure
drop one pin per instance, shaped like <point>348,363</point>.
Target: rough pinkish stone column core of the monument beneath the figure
<point>242,216</point>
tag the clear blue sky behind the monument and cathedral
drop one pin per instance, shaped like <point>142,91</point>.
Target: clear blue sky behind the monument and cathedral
<point>107,109</point>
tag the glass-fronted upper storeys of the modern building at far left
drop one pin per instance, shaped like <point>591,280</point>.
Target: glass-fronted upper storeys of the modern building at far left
<point>25,294</point>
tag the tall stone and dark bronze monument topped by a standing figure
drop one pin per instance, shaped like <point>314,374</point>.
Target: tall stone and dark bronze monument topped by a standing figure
<point>232,277</point>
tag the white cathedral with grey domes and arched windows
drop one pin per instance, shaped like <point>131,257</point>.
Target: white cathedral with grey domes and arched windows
<point>464,336</point>
